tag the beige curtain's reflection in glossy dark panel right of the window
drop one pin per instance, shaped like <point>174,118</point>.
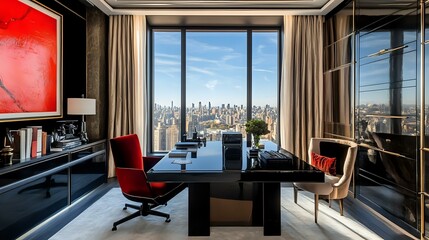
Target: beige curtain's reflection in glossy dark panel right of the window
<point>338,74</point>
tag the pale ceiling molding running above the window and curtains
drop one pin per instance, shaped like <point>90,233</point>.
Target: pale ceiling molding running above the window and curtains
<point>108,9</point>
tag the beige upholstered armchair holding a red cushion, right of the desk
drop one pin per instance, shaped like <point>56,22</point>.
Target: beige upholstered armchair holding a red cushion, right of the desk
<point>334,187</point>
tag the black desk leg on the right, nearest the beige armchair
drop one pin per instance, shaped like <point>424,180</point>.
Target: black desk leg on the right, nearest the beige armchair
<point>272,223</point>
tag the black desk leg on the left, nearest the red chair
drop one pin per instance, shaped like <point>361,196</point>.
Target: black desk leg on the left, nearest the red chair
<point>199,209</point>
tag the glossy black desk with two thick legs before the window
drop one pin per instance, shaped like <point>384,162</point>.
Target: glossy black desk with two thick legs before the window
<point>207,167</point>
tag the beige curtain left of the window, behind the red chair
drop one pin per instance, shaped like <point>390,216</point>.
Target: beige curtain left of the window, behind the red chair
<point>127,79</point>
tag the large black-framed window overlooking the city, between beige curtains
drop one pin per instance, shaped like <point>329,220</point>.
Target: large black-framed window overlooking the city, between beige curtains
<point>205,81</point>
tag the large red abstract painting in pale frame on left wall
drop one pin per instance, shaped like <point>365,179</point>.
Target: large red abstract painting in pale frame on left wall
<point>49,88</point>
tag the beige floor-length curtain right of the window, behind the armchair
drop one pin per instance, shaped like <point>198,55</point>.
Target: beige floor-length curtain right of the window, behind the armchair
<point>301,83</point>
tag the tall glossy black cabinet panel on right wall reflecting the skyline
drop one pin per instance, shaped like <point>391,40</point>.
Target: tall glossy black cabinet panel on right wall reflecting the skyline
<point>387,108</point>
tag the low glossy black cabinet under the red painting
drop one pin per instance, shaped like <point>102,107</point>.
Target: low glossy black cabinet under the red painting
<point>32,191</point>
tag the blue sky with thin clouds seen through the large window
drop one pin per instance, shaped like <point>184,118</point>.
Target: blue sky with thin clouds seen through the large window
<point>216,68</point>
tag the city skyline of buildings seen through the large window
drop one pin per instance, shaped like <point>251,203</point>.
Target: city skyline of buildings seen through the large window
<point>208,121</point>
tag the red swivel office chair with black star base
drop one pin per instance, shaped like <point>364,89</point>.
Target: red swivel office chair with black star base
<point>131,170</point>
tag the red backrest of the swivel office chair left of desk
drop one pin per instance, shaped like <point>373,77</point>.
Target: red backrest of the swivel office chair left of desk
<point>127,152</point>
